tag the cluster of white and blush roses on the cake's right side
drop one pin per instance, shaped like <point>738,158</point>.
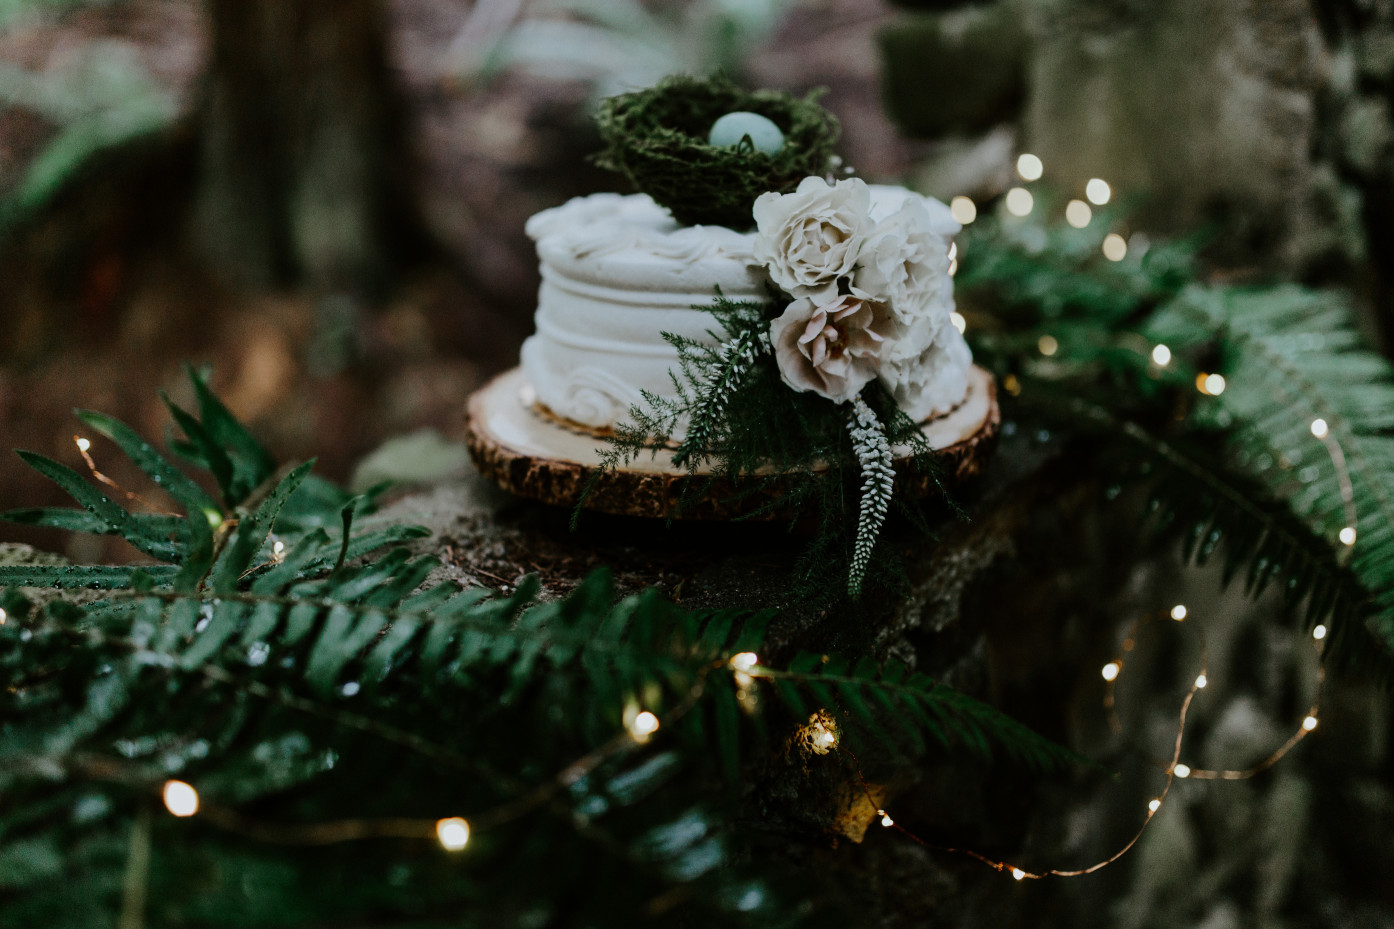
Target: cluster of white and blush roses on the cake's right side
<point>869,274</point>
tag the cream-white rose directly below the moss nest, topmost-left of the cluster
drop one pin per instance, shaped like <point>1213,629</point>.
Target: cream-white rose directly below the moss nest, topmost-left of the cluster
<point>812,238</point>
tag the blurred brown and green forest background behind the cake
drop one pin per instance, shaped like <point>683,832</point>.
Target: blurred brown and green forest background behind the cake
<point>325,199</point>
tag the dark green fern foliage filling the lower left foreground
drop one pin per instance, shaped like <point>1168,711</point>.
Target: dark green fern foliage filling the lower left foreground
<point>309,691</point>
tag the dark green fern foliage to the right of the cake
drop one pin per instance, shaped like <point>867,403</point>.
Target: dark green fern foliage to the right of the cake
<point>1239,475</point>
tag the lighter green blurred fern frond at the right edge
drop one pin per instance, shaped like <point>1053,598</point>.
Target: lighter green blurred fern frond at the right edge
<point>1292,358</point>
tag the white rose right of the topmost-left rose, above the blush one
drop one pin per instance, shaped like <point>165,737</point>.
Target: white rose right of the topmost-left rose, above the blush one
<point>905,263</point>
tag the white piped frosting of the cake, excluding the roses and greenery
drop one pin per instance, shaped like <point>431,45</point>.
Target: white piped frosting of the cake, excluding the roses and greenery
<point>618,273</point>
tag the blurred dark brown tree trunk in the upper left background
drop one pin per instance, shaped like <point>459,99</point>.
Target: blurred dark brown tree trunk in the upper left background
<point>303,165</point>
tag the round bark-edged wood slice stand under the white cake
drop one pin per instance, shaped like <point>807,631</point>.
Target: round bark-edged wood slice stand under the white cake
<point>532,454</point>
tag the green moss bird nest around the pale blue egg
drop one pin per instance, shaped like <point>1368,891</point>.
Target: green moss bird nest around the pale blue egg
<point>657,139</point>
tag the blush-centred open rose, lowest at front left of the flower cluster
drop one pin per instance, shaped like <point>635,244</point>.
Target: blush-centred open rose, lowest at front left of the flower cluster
<point>832,348</point>
